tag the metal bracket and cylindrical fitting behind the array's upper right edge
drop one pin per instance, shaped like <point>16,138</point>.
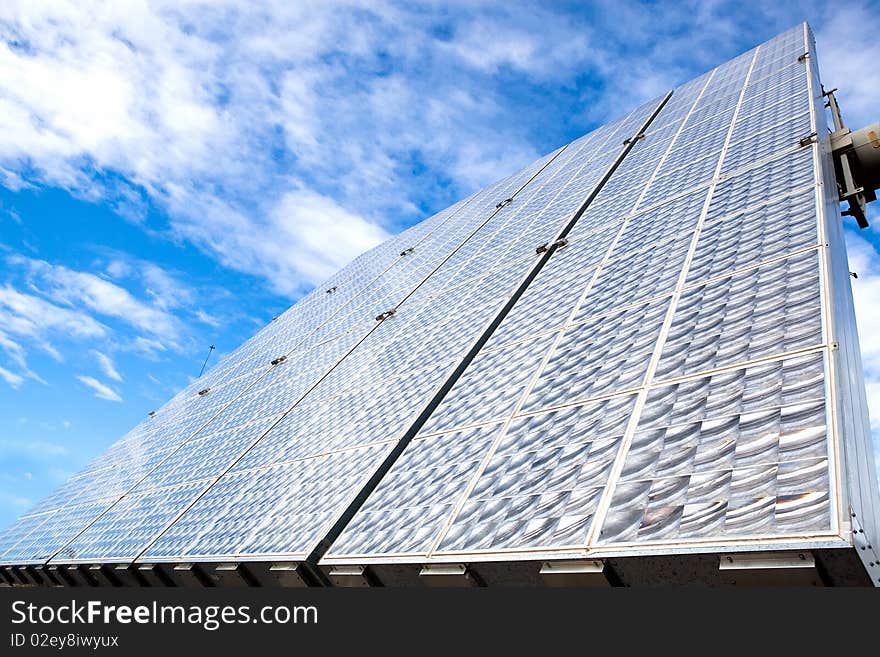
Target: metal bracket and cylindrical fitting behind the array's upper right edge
<point>856,162</point>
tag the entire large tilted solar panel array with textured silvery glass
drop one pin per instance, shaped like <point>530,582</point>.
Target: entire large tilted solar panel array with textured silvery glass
<point>628,344</point>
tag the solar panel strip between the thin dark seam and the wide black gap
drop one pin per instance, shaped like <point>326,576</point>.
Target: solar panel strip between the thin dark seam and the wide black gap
<point>331,442</point>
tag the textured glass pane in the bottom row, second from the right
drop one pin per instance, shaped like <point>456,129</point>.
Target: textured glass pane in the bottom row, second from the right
<point>541,486</point>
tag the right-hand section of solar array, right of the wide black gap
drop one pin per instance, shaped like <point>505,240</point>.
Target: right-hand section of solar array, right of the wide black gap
<point>678,393</point>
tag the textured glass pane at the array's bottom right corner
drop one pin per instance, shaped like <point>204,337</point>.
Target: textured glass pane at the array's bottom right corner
<point>740,452</point>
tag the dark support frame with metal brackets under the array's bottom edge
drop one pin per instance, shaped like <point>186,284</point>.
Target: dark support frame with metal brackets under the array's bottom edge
<point>818,567</point>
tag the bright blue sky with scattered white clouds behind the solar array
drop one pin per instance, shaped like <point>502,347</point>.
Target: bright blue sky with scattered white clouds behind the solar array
<point>175,174</point>
